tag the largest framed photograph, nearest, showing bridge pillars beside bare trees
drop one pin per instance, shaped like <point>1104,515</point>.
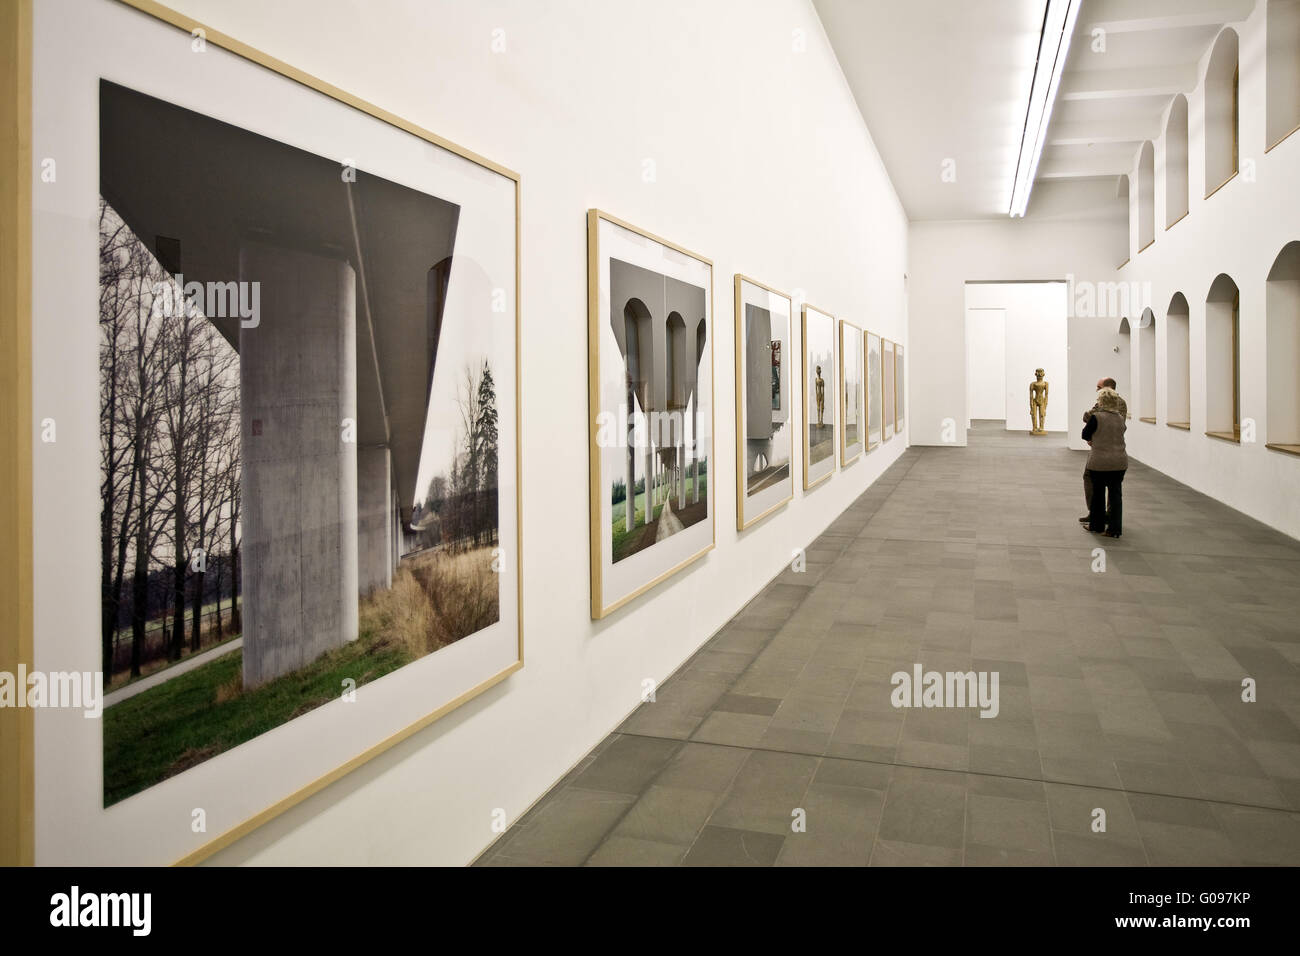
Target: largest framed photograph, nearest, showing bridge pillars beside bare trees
<point>279,330</point>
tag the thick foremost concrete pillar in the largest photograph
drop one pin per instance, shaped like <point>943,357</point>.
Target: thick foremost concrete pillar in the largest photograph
<point>298,393</point>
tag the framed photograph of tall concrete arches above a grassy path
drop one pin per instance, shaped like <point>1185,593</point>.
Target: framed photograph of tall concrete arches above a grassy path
<point>652,409</point>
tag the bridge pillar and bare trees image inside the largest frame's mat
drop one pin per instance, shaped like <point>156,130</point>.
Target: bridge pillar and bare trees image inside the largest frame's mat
<point>301,431</point>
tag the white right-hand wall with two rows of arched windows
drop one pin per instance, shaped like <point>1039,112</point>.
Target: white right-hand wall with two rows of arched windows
<point>1240,231</point>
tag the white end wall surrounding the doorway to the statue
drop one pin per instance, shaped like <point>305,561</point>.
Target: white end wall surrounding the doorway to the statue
<point>1078,245</point>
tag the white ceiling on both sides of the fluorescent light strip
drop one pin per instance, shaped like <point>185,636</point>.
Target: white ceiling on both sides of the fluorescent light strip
<point>950,80</point>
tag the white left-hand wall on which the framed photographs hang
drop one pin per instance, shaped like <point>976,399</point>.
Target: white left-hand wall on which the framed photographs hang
<point>726,128</point>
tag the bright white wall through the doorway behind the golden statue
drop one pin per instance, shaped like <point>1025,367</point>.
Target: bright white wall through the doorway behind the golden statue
<point>1034,336</point>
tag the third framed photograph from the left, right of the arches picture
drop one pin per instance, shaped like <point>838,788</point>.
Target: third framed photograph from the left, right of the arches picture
<point>765,419</point>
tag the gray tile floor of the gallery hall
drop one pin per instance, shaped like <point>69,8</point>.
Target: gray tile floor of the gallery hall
<point>1120,691</point>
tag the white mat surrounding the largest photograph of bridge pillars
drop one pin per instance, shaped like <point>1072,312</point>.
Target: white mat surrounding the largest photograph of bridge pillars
<point>71,57</point>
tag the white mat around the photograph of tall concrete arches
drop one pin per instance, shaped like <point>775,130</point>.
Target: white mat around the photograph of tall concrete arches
<point>635,572</point>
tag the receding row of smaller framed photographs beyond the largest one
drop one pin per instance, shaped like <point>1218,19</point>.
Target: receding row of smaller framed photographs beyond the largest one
<point>652,405</point>
